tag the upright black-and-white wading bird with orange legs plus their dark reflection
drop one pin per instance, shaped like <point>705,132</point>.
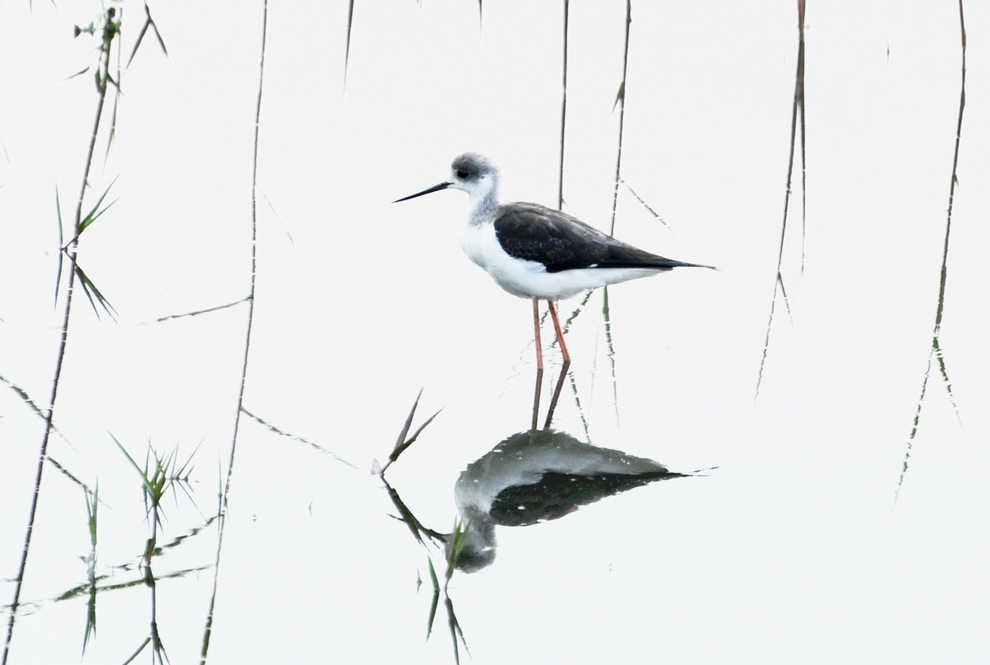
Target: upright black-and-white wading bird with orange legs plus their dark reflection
<point>539,253</point>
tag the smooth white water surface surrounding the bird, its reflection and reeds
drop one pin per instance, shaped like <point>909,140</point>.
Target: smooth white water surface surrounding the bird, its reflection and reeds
<point>809,543</point>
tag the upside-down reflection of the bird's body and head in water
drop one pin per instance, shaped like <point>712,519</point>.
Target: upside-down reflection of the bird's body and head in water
<point>534,477</point>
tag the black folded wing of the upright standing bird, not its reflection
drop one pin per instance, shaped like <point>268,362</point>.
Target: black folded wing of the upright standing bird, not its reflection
<point>533,232</point>
